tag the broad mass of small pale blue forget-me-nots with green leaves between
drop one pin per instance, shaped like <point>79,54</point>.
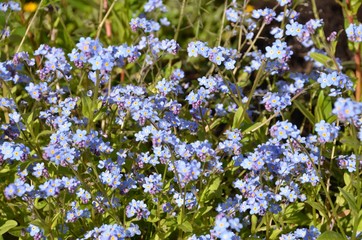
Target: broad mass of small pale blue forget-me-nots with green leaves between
<point>171,148</point>
